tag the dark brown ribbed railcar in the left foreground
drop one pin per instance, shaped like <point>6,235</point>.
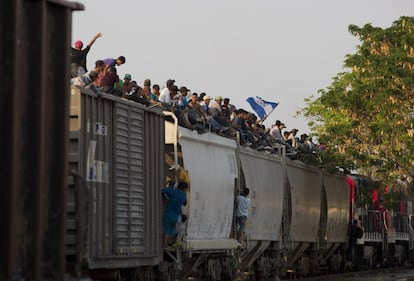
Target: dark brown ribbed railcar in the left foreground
<point>34,99</point>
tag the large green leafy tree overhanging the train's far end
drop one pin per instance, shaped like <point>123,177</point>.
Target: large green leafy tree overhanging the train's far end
<point>366,116</point>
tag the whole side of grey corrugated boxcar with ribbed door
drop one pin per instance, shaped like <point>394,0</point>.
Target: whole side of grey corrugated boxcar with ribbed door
<point>120,154</point>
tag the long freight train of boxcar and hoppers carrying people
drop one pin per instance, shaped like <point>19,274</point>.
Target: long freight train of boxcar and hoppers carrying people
<point>120,155</point>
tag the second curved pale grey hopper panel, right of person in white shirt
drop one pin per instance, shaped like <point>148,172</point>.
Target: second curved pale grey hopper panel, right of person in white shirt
<point>264,178</point>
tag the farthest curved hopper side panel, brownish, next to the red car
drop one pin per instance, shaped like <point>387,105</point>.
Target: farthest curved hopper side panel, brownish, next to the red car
<point>337,195</point>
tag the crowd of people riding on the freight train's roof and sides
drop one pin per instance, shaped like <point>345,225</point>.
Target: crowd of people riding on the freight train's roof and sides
<point>194,111</point>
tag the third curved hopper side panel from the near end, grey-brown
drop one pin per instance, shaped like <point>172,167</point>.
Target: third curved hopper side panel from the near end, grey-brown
<point>306,184</point>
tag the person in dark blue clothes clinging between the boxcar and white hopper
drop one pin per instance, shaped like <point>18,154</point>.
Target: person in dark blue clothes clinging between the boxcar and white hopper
<point>176,198</point>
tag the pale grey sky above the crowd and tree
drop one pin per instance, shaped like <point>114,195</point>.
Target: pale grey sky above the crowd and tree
<point>282,51</point>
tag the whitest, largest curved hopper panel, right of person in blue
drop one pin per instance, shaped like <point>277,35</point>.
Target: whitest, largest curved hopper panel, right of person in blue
<point>211,164</point>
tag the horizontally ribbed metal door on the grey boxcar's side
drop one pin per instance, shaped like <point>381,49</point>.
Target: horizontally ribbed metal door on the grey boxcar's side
<point>129,181</point>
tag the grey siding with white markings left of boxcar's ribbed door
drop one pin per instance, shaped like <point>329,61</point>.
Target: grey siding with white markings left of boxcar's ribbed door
<point>96,163</point>
